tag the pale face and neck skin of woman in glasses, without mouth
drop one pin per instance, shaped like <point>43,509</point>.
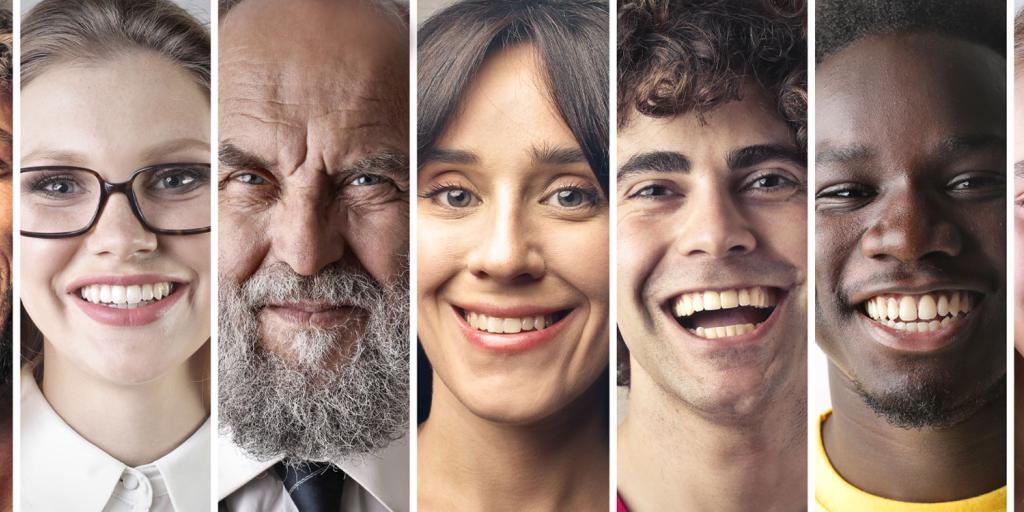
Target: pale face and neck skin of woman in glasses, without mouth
<point>126,113</point>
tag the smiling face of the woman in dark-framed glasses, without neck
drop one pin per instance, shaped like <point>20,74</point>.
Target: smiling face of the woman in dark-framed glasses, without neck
<point>132,112</point>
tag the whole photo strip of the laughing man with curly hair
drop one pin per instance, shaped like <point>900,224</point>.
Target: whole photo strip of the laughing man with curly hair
<point>712,255</point>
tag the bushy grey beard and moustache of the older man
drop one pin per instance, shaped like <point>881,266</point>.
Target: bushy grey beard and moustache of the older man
<point>310,407</point>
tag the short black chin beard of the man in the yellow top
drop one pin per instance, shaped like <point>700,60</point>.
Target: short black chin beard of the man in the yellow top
<point>919,404</point>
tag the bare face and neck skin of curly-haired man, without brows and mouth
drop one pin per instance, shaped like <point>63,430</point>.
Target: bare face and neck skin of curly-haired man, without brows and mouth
<point>741,411</point>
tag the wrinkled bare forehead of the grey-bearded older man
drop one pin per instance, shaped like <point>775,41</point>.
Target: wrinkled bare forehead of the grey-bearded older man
<point>314,78</point>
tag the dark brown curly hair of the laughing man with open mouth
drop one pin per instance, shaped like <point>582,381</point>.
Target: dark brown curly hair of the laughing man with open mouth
<point>677,57</point>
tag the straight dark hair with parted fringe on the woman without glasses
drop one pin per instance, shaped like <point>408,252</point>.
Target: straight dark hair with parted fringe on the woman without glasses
<point>572,37</point>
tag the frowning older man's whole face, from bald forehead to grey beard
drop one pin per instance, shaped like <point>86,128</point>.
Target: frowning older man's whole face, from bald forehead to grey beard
<point>314,223</point>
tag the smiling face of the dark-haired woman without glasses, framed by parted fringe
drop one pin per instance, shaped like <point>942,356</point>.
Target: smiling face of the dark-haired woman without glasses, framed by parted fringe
<point>514,267</point>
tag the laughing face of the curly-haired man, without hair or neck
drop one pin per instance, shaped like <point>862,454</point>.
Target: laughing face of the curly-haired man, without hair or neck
<point>712,255</point>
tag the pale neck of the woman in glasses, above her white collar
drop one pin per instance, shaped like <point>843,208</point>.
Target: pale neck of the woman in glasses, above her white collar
<point>134,423</point>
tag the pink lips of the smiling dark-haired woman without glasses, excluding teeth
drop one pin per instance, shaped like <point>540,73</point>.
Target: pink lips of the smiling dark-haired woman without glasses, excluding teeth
<point>511,344</point>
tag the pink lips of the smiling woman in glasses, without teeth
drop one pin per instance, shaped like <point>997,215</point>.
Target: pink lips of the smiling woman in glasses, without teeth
<point>126,318</point>
